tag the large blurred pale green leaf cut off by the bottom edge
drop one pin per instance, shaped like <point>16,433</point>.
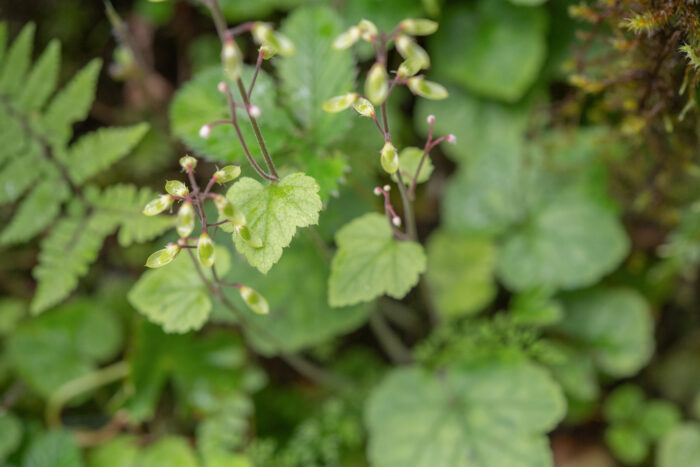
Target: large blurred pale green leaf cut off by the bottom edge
<point>490,415</point>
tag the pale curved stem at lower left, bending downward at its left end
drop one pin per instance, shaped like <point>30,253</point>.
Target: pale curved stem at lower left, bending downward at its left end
<point>72,388</point>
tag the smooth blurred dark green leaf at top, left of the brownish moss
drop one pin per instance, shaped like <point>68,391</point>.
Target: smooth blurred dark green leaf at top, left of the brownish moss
<point>504,47</point>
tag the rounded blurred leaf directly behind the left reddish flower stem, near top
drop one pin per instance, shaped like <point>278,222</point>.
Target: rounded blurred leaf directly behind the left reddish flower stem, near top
<point>199,102</point>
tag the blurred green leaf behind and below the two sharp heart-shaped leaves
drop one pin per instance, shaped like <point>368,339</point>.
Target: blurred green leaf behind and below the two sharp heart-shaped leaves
<point>299,315</point>
